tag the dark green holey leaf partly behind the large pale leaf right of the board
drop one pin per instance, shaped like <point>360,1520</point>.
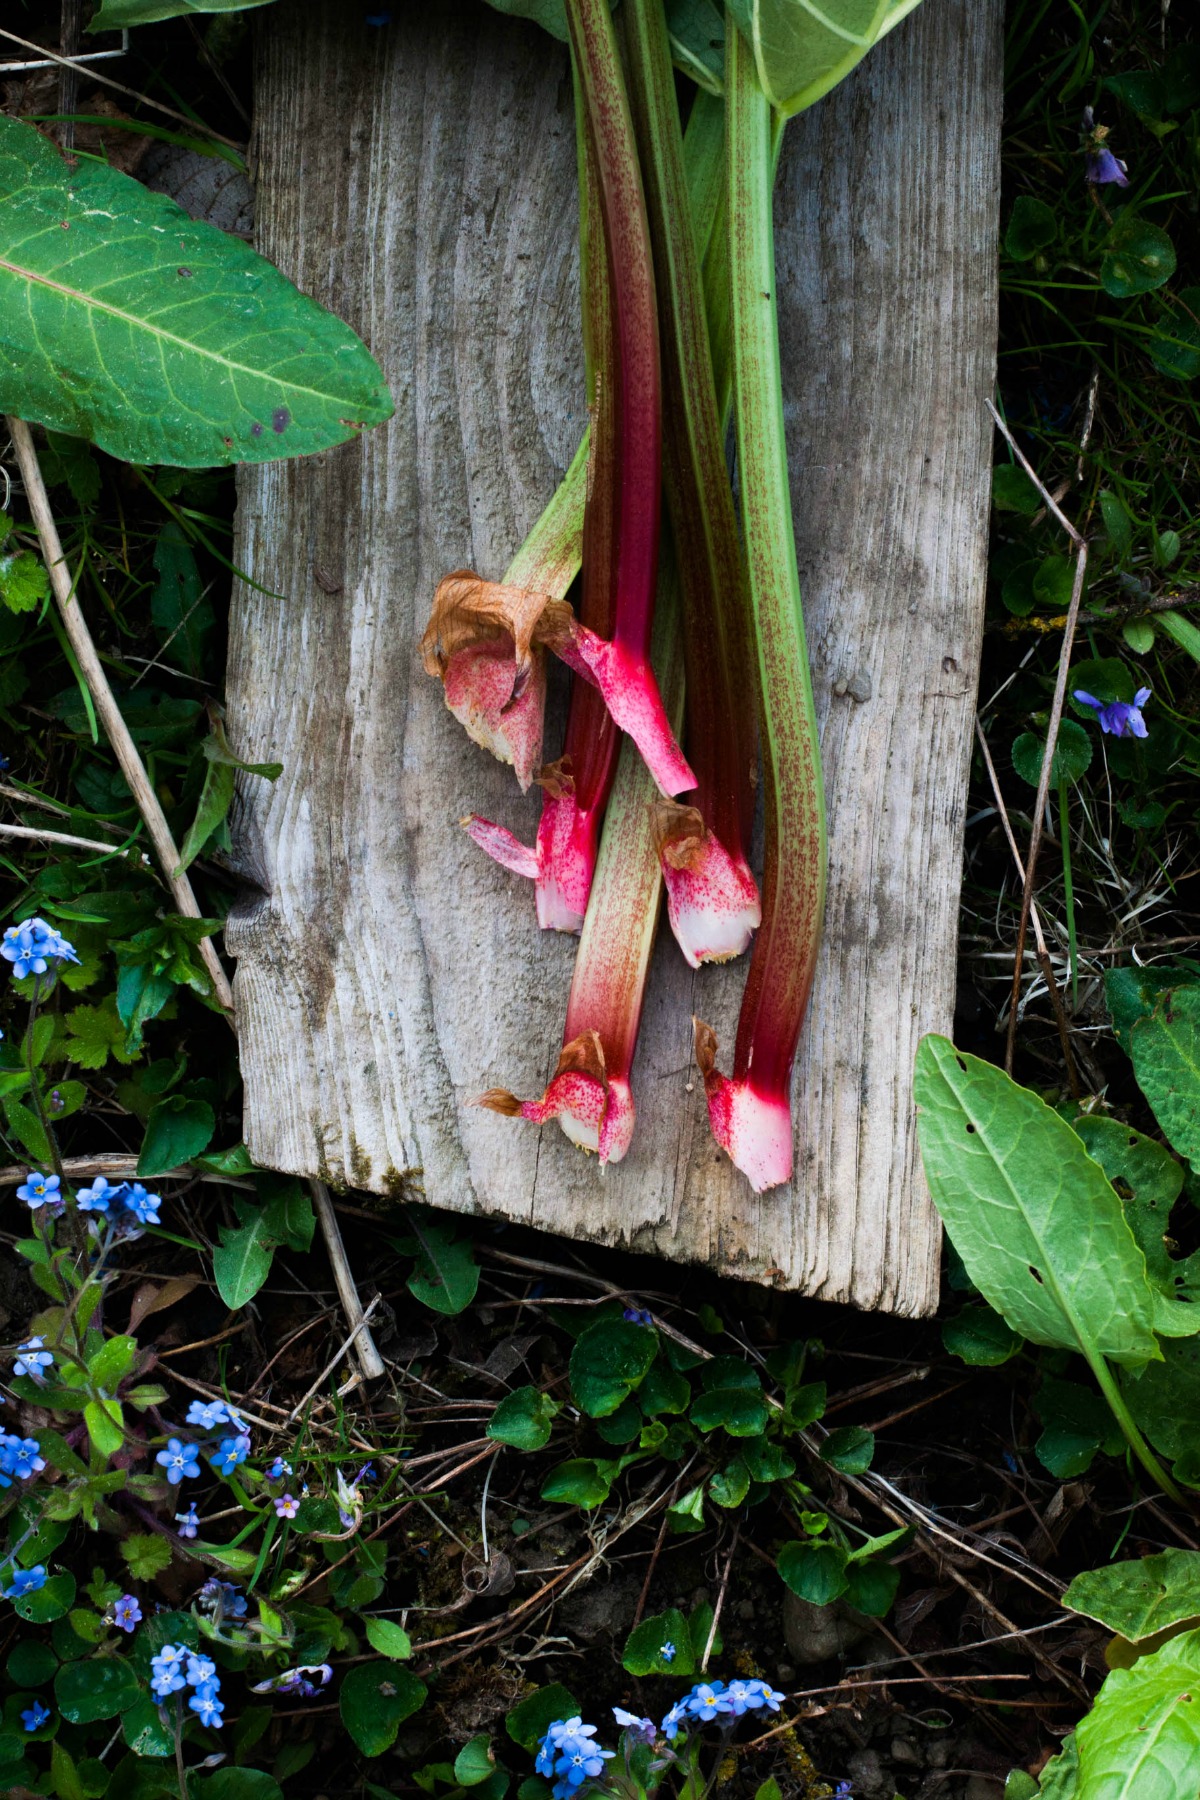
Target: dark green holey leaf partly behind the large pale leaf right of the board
<point>1149,1182</point>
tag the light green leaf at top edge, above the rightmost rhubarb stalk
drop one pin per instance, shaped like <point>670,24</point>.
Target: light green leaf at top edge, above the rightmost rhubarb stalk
<point>803,49</point>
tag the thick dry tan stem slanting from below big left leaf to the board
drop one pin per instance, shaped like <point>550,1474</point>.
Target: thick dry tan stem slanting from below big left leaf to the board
<point>105,701</point>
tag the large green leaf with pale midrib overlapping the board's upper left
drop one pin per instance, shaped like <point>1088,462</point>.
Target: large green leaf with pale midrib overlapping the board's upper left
<point>157,337</point>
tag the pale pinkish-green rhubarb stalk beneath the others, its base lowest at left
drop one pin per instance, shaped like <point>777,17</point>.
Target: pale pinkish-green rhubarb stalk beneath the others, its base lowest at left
<point>591,1092</point>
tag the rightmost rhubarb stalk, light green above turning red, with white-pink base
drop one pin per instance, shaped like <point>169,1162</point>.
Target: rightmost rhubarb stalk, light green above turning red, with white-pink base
<point>751,1111</point>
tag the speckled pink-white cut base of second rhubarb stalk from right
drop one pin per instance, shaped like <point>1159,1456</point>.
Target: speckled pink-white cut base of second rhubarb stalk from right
<point>713,901</point>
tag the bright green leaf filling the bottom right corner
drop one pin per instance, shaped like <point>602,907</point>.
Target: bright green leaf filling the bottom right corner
<point>1143,1734</point>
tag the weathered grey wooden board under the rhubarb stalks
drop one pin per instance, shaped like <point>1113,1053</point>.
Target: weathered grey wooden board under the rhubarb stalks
<point>422,183</point>
